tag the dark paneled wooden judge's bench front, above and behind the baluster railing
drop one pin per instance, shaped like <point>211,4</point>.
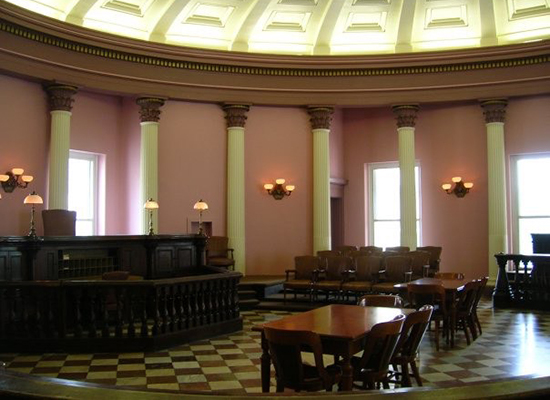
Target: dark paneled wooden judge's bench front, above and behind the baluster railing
<point>52,258</point>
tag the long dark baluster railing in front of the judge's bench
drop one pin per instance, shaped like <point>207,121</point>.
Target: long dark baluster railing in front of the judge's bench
<point>117,315</point>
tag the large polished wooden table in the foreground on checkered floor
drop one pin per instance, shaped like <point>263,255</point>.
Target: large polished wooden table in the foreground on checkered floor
<point>341,327</point>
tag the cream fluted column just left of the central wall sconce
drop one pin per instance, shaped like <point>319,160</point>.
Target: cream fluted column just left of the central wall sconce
<point>235,116</point>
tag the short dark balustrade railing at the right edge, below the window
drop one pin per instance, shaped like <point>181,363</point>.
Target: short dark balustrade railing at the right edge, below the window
<point>522,281</point>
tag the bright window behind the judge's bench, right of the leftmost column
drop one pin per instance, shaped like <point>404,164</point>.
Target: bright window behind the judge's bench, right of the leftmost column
<point>84,191</point>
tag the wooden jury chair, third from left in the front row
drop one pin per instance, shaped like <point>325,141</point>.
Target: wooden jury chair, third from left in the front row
<point>360,279</point>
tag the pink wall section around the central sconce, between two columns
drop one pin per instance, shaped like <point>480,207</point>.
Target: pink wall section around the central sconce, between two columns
<point>278,145</point>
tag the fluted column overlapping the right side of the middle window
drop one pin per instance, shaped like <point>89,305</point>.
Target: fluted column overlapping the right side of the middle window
<point>406,121</point>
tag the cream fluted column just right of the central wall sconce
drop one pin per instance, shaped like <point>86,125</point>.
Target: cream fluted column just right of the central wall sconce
<point>321,117</point>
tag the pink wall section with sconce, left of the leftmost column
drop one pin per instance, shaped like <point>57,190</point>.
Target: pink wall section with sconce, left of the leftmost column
<point>24,142</point>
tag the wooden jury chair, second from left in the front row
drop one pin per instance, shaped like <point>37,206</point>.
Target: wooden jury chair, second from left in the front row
<point>330,278</point>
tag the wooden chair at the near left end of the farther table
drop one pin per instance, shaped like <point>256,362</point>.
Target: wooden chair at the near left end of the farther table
<point>434,295</point>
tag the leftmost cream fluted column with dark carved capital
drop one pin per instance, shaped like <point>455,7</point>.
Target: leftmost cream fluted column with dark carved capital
<point>60,98</point>
